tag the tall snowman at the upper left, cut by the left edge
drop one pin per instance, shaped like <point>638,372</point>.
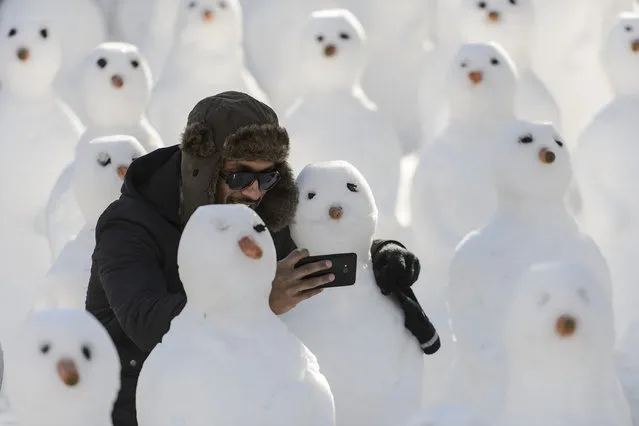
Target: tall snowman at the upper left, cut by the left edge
<point>37,138</point>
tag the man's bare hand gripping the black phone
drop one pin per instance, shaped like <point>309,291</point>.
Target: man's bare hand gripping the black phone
<point>289,287</point>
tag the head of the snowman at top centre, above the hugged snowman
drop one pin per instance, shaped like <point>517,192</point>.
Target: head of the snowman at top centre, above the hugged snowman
<point>332,50</point>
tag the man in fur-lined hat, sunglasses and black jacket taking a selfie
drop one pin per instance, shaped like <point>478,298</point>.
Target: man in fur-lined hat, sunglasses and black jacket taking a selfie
<point>233,151</point>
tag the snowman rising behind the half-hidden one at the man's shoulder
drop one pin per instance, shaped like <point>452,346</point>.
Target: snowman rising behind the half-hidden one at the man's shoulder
<point>118,75</point>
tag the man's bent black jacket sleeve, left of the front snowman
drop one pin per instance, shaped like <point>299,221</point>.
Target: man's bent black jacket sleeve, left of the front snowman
<point>131,274</point>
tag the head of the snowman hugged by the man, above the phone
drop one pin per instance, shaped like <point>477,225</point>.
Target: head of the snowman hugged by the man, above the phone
<point>336,212</point>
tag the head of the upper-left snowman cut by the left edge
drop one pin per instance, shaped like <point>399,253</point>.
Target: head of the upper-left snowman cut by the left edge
<point>31,56</point>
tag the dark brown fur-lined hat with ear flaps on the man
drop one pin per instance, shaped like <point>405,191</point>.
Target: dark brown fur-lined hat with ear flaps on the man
<point>235,126</point>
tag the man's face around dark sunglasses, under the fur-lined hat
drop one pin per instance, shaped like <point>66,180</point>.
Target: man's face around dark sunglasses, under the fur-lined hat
<point>250,195</point>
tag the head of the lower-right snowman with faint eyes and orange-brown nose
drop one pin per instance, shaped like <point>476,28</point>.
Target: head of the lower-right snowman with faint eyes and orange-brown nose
<point>559,313</point>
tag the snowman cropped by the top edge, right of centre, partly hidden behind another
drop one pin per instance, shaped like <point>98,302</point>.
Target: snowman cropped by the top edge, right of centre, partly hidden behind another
<point>511,24</point>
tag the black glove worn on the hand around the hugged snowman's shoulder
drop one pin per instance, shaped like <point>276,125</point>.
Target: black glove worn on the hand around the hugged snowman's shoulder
<point>394,266</point>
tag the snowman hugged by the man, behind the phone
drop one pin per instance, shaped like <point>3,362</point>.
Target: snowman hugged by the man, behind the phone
<point>373,383</point>
